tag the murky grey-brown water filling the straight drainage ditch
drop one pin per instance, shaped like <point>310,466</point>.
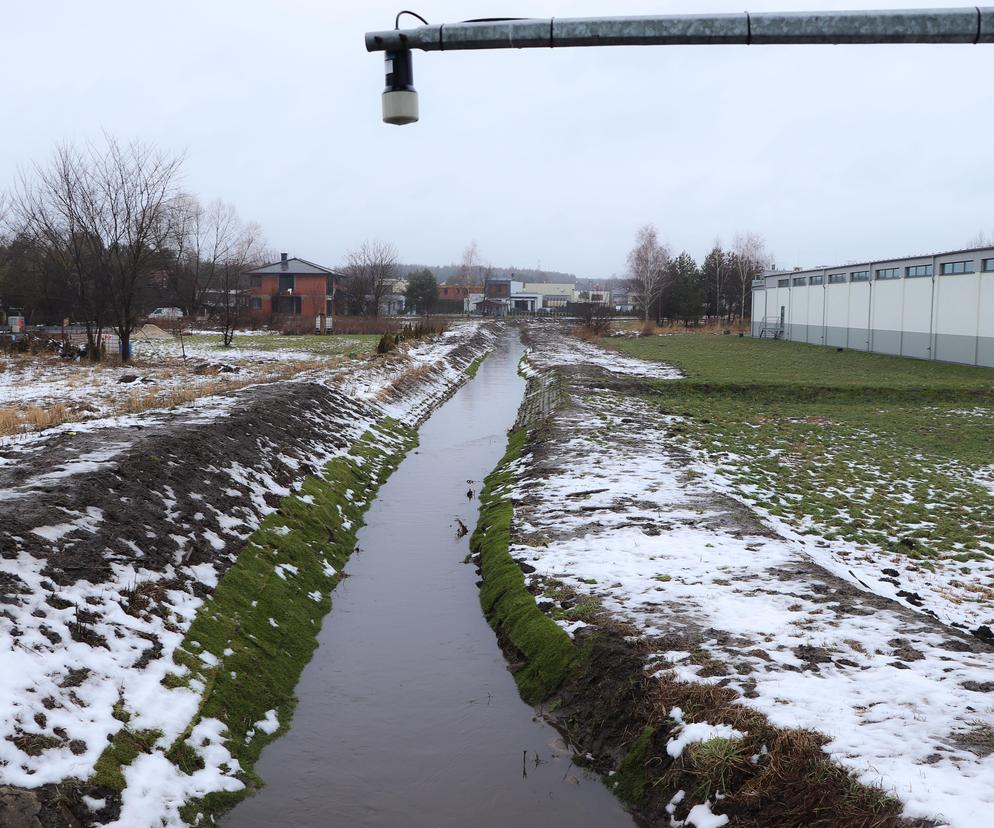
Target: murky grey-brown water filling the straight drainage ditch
<point>408,715</point>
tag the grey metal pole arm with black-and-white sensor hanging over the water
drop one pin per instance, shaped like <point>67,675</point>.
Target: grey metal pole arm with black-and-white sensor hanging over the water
<point>973,24</point>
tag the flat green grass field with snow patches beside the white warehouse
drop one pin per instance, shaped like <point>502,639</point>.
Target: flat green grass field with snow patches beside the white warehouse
<point>882,451</point>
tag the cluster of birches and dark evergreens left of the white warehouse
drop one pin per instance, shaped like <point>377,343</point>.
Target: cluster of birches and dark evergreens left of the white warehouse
<point>677,288</point>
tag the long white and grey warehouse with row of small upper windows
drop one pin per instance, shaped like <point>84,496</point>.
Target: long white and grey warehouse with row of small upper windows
<point>937,306</point>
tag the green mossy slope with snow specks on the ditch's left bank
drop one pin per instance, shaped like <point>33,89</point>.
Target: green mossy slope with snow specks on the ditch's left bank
<point>260,627</point>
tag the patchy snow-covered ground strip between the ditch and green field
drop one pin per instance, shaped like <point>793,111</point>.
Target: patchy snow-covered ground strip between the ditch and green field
<point>619,512</point>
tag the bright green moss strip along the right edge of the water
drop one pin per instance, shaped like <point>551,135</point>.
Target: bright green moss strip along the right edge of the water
<point>547,651</point>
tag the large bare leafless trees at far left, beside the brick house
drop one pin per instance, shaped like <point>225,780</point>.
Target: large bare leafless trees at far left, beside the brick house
<point>97,231</point>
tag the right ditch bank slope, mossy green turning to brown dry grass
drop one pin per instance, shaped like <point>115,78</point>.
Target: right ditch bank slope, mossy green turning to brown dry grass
<point>610,691</point>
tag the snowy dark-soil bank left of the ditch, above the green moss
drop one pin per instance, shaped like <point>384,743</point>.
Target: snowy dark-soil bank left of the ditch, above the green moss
<point>71,652</point>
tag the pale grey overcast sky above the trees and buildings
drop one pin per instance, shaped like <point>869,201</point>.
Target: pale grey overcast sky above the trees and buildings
<point>544,157</point>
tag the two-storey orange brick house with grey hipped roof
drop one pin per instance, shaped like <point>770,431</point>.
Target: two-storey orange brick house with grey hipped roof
<point>292,287</point>
